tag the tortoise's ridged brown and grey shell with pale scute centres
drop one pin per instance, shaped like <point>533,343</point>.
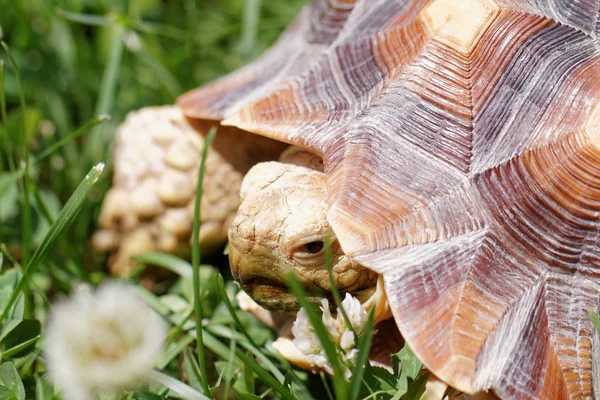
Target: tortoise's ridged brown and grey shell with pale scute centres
<point>461,143</point>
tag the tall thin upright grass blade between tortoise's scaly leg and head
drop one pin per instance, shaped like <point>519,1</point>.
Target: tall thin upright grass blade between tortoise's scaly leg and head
<point>196,261</point>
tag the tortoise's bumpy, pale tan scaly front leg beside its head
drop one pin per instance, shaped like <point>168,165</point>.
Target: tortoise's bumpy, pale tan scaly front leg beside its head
<point>150,206</point>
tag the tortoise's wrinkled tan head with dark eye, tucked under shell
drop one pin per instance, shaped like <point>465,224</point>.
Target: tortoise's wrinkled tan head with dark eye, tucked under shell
<point>281,227</point>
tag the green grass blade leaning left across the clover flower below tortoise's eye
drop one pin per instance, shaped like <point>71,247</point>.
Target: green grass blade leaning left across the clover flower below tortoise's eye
<point>339,383</point>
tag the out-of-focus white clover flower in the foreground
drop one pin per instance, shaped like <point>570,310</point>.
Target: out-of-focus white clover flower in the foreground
<point>102,341</point>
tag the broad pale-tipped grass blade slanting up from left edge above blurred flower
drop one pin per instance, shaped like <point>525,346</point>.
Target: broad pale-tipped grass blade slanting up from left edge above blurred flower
<point>64,218</point>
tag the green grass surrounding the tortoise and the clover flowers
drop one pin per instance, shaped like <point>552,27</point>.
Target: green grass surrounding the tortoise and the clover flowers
<point>67,65</point>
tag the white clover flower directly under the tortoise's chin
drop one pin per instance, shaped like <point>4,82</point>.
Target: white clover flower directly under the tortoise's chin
<point>307,341</point>
